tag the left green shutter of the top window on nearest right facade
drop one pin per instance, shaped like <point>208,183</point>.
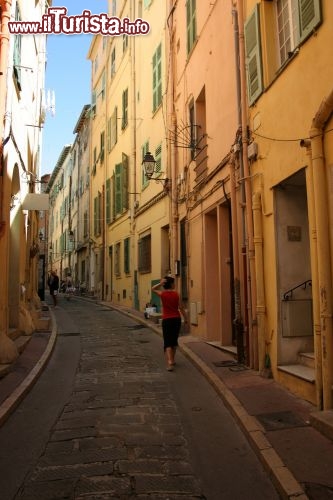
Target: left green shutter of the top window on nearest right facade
<point>253,56</point>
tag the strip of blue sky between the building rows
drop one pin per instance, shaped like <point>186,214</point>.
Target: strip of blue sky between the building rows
<point>68,73</point>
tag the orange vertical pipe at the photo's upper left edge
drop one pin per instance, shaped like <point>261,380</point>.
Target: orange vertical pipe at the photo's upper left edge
<point>5,6</point>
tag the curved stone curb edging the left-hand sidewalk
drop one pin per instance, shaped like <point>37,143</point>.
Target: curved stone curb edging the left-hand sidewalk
<point>9,405</point>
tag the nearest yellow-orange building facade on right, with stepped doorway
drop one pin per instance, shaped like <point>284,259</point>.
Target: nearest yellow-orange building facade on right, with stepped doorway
<point>290,154</point>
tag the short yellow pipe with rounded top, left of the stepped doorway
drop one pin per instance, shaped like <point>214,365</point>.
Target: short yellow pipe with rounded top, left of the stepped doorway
<point>260,282</point>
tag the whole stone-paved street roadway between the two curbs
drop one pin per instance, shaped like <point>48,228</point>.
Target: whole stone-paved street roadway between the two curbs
<point>107,421</point>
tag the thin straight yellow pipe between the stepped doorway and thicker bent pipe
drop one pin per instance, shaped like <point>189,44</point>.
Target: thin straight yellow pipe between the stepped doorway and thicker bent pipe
<point>314,277</point>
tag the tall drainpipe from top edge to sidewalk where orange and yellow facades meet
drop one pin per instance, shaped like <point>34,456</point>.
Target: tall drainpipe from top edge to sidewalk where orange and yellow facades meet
<point>254,362</point>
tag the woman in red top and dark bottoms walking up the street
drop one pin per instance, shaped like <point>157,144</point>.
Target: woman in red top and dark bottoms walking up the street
<point>172,312</point>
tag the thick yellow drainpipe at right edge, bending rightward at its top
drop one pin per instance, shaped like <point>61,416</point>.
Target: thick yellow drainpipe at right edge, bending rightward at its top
<point>323,245</point>
